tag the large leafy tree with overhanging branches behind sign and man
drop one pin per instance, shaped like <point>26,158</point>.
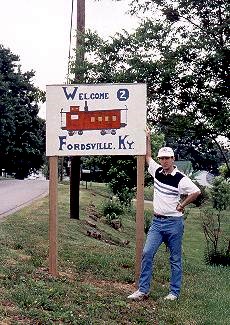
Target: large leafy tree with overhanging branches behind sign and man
<point>182,52</point>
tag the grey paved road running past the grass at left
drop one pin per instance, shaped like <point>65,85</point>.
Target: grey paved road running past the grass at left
<point>15,194</point>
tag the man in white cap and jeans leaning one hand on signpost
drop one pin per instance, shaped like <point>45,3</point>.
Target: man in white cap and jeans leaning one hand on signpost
<point>168,223</point>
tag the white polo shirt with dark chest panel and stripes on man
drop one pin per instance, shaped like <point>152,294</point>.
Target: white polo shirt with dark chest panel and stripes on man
<point>168,188</point>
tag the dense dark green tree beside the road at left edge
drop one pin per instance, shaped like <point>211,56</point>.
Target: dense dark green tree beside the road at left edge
<point>22,132</point>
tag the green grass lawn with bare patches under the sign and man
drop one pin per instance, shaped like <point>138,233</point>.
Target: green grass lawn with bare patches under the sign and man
<point>95,276</point>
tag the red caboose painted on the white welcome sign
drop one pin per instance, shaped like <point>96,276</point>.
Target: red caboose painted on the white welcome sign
<point>108,121</point>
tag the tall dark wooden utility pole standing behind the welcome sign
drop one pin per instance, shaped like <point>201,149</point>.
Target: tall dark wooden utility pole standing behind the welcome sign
<point>75,160</point>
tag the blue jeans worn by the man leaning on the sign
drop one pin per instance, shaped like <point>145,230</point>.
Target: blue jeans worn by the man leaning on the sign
<point>170,231</point>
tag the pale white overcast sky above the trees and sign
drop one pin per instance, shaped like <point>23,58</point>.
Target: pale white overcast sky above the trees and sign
<point>38,31</point>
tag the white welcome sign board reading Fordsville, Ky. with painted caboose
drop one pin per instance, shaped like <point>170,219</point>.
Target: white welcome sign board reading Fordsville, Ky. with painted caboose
<point>100,119</point>
